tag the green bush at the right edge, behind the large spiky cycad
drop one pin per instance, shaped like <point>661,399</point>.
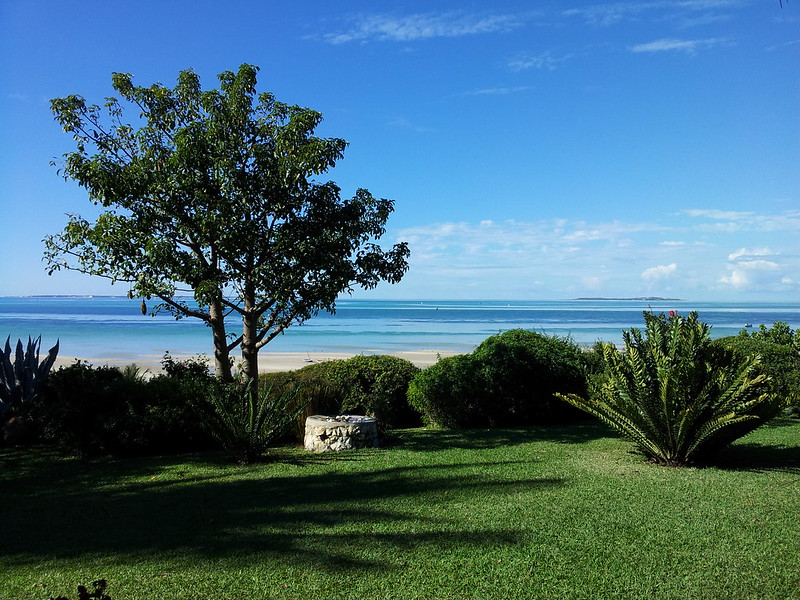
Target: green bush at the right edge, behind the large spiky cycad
<point>780,362</point>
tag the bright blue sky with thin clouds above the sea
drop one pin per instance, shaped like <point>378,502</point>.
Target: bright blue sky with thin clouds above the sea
<point>534,150</point>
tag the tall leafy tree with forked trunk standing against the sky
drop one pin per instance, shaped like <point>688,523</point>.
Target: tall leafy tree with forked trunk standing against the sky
<point>212,192</point>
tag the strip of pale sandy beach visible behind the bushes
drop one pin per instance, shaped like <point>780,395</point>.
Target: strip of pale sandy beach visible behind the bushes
<point>267,361</point>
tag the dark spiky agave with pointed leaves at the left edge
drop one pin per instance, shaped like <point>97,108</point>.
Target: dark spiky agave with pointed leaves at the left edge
<point>22,374</point>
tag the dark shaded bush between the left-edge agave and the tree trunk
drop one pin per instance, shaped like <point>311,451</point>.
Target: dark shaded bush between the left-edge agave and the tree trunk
<point>100,410</point>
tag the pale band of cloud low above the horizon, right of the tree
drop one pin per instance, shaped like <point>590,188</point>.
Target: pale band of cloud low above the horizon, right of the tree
<point>569,257</point>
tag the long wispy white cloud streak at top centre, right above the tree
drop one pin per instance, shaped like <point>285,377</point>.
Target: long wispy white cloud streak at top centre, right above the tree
<point>406,28</point>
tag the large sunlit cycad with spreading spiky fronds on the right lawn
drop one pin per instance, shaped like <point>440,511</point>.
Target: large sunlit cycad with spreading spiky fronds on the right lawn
<point>676,395</point>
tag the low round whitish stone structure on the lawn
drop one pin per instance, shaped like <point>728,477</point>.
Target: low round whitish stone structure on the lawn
<point>342,432</point>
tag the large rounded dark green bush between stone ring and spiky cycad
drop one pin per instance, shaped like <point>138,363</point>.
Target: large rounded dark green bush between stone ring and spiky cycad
<point>510,379</point>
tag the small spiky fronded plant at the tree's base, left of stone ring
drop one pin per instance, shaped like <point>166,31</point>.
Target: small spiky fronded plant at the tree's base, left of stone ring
<point>246,418</point>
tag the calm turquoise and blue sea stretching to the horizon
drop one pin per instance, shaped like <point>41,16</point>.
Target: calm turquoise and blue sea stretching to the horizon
<point>113,327</point>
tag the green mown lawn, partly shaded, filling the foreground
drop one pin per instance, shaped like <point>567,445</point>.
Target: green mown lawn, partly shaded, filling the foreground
<point>530,513</point>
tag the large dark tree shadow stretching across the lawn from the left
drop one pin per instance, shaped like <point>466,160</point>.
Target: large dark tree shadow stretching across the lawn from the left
<point>327,521</point>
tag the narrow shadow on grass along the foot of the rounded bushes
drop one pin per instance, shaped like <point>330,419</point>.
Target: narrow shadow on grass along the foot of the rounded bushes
<point>422,440</point>
